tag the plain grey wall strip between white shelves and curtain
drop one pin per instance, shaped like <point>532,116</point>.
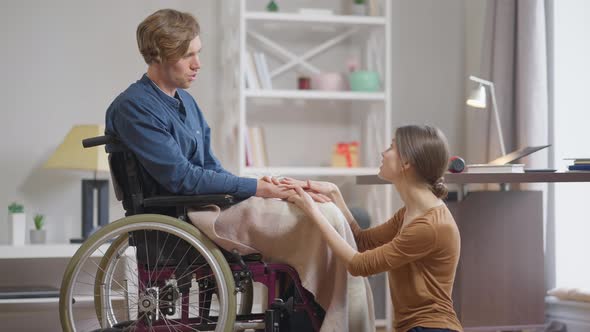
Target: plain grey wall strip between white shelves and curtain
<point>428,68</point>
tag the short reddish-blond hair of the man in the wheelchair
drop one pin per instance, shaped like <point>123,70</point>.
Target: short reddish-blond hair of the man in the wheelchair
<point>165,35</point>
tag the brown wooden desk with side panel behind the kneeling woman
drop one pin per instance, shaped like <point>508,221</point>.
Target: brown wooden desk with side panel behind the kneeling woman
<point>500,278</point>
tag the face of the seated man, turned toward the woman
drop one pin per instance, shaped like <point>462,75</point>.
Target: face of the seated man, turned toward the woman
<point>182,73</point>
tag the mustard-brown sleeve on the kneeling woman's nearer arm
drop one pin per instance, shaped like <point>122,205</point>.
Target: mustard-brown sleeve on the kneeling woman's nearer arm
<point>415,241</point>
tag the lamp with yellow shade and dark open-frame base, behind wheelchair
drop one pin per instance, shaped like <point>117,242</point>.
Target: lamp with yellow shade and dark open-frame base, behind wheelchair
<point>71,155</point>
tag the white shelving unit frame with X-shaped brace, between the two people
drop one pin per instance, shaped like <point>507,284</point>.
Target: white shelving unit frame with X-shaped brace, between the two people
<point>253,32</point>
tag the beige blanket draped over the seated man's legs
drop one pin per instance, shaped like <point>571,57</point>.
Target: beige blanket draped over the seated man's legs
<point>282,233</point>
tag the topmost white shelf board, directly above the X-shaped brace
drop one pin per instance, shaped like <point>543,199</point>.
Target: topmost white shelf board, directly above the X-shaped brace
<point>324,19</point>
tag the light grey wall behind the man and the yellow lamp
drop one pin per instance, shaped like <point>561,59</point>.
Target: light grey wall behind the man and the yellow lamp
<point>62,64</point>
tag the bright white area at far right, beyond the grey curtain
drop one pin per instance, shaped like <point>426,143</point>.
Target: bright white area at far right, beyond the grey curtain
<point>571,117</point>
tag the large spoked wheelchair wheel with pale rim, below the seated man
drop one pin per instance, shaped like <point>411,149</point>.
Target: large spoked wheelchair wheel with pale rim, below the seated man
<point>190,288</point>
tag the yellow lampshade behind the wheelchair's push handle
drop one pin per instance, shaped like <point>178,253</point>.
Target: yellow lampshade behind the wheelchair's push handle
<point>70,154</point>
